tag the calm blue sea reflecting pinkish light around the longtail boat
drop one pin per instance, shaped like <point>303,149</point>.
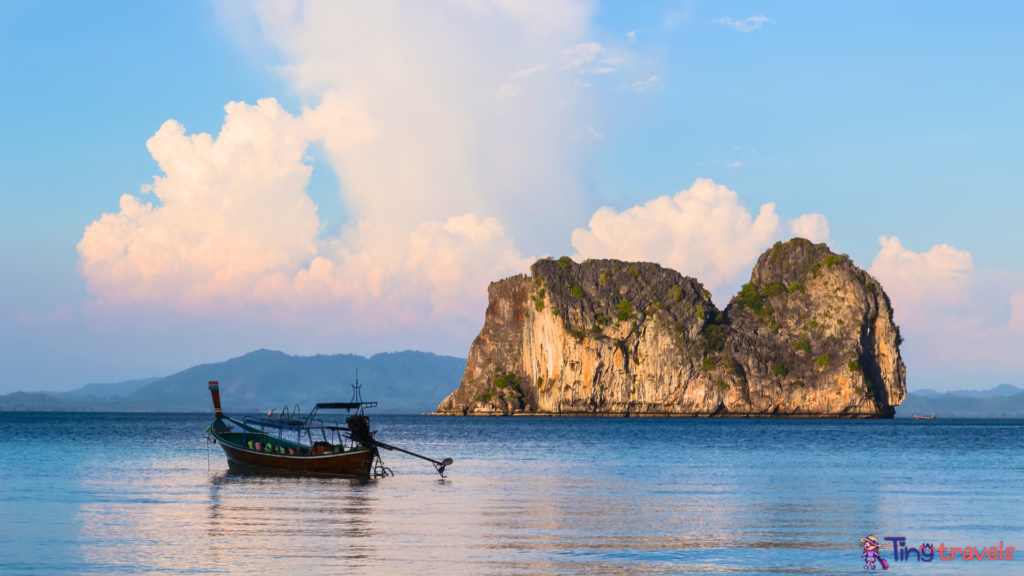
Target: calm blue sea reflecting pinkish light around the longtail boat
<point>132,493</point>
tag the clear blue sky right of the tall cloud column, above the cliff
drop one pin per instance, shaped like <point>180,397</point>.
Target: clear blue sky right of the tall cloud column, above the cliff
<point>889,121</point>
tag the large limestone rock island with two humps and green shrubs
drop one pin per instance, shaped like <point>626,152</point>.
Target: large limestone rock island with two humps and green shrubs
<point>810,336</point>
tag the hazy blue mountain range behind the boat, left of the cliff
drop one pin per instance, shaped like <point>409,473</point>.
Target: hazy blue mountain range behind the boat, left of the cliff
<point>402,383</point>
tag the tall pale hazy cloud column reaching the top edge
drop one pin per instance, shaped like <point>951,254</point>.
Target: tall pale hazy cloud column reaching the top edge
<point>423,121</point>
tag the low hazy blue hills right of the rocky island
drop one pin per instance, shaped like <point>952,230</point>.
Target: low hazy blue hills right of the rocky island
<point>1004,401</point>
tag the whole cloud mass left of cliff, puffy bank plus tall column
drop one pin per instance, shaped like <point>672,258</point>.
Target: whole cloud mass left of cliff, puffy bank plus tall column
<point>425,155</point>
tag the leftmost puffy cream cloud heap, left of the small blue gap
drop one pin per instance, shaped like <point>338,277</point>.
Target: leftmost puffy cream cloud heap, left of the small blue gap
<point>234,211</point>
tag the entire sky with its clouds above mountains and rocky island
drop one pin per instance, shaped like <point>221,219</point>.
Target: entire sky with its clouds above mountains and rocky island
<point>184,182</point>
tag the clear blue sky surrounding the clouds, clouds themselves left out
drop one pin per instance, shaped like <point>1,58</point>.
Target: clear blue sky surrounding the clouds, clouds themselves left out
<point>890,120</point>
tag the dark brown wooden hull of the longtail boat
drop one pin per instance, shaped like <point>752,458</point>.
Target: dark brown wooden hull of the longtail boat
<point>356,464</point>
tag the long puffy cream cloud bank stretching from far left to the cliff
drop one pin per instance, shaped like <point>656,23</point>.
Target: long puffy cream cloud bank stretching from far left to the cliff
<point>236,226</point>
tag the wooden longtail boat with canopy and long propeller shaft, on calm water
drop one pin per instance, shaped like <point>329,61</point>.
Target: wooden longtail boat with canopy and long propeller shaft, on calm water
<point>291,443</point>
